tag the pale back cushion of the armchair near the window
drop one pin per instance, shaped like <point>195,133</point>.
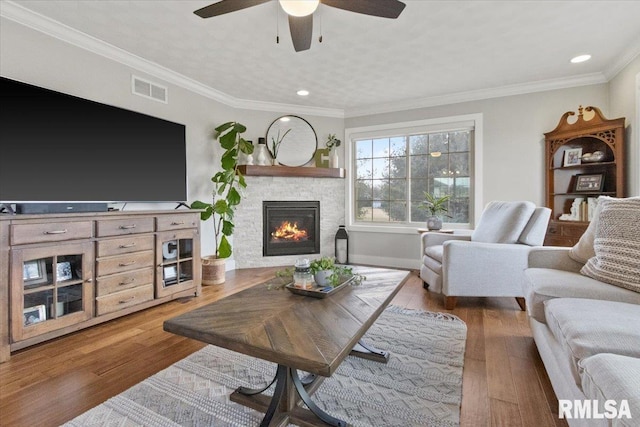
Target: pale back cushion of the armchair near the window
<point>503,222</point>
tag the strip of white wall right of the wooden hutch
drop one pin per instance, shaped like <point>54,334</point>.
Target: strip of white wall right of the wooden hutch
<point>624,89</point>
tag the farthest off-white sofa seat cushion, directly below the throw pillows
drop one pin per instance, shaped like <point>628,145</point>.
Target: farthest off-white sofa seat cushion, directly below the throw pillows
<point>543,284</point>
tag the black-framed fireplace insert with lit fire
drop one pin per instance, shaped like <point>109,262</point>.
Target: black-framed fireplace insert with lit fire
<point>290,228</point>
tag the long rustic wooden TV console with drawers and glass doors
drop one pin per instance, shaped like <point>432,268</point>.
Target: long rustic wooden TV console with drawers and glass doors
<point>63,272</point>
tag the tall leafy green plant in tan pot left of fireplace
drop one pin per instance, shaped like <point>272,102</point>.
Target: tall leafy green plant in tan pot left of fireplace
<point>225,199</point>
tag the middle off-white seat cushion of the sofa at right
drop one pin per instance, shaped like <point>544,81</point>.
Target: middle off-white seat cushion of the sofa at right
<point>585,327</point>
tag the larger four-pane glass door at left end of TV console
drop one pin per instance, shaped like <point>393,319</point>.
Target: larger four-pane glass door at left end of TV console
<point>51,288</point>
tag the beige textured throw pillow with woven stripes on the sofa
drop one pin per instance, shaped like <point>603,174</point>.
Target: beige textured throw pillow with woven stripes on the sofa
<point>617,245</point>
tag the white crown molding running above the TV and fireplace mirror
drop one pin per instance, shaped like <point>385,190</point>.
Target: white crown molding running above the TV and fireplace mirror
<point>53,28</point>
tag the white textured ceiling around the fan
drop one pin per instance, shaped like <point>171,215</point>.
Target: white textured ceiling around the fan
<point>434,50</point>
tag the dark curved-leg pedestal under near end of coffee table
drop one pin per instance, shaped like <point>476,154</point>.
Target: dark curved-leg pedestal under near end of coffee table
<point>283,407</point>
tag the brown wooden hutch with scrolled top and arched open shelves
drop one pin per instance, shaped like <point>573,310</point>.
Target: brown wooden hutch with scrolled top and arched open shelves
<point>572,177</point>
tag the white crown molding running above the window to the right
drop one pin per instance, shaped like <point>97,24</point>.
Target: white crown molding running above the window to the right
<point>477,95</point>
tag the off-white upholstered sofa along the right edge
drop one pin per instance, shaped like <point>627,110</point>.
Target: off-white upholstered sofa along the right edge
<point>588,331</point>
